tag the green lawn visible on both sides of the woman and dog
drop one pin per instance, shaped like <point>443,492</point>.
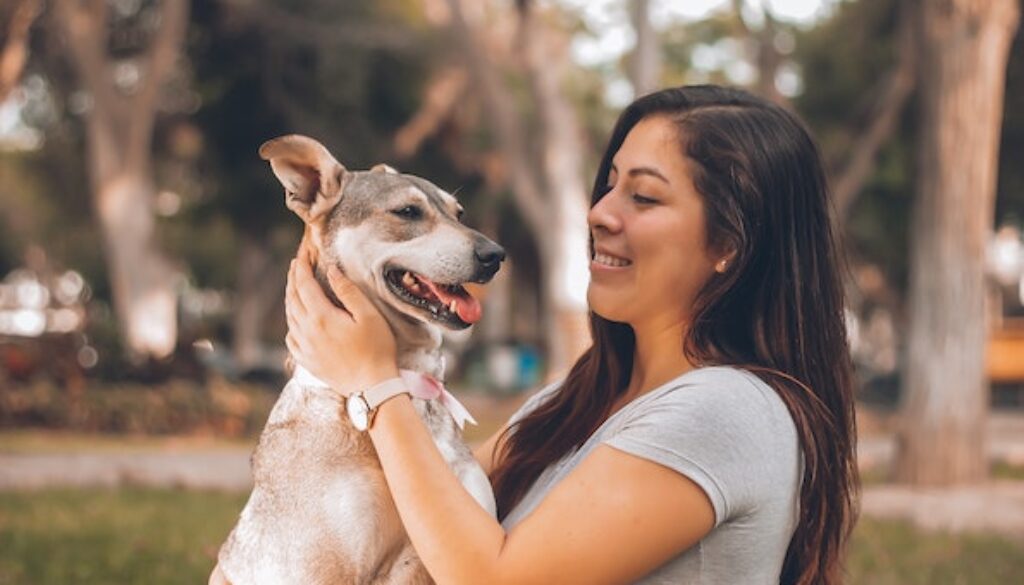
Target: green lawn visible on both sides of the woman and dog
<point>161,537</point>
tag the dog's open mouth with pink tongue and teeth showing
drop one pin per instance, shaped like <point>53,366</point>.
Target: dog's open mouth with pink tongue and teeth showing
<point>450,305</point>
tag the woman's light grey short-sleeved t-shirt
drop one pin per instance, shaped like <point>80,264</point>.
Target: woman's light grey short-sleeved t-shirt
<point>730,433</point>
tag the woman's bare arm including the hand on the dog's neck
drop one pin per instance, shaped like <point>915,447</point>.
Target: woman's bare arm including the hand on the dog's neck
<point>613,520</point>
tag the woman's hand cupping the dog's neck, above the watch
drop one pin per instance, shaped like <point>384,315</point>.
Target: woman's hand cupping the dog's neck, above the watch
<point>351,349</point>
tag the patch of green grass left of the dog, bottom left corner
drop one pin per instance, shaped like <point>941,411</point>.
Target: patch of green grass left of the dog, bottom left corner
<point>98,537</point>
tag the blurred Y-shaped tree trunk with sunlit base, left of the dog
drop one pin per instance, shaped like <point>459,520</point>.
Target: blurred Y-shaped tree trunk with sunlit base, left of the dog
<point>123,100</point>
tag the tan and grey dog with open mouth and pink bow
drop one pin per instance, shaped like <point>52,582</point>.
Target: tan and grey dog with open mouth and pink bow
<point>320,511</point>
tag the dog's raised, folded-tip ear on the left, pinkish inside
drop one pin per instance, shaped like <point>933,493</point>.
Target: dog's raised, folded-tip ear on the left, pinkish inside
<point>314,180</point>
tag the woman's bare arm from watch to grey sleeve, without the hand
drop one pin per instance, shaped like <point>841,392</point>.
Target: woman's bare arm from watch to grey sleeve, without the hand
<point>613,520</point>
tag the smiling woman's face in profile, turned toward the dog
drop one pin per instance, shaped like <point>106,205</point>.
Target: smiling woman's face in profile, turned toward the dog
<point>651,258</point>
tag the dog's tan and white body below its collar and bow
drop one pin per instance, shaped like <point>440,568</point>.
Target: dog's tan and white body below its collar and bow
<point>320,508</point>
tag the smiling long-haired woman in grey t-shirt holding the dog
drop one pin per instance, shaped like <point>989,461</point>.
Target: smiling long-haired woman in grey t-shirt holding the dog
<point>708,435</point>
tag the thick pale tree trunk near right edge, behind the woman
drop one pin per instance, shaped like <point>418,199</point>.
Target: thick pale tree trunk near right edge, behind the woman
<point>964,54</point>
